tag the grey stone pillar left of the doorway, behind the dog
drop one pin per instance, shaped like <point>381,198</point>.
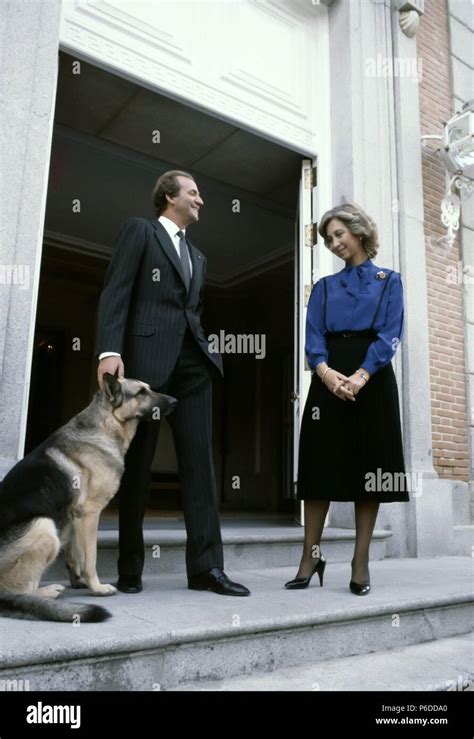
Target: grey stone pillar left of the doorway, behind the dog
<point>28,74</point>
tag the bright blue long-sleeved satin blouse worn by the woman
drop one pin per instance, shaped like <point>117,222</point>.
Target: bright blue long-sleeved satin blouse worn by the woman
<point>355,296</point>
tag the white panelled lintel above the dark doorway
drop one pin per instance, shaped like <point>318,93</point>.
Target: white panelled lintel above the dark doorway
<point>275,87</point>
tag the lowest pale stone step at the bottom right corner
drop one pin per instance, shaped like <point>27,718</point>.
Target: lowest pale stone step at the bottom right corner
<point>441,665</point>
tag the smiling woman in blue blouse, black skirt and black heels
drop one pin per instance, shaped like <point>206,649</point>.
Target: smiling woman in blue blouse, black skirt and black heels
<point>351,442</point>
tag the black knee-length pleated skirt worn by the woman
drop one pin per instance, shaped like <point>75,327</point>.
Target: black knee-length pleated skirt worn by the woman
<point>351,451</point>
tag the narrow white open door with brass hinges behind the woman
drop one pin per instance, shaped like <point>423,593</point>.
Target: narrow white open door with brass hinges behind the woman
<point>305,238</point>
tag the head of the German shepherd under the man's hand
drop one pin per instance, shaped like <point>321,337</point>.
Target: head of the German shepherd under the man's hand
<point>134,399</point>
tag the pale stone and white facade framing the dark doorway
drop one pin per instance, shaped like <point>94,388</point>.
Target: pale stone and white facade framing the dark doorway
<point>276,68</point>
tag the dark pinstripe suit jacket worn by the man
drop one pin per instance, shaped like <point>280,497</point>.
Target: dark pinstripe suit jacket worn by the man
<point>144,308</point>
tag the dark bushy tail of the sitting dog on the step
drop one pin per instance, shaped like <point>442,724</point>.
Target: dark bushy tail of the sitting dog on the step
<point>35,608</point>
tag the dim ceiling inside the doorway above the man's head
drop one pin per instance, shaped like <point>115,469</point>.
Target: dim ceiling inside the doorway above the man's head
<point>113,138</point>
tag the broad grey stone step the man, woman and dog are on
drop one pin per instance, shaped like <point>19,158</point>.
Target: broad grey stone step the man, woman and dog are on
<point>167,635</point>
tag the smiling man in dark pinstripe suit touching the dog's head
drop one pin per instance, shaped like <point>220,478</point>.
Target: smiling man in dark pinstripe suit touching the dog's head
<point>149,325</point>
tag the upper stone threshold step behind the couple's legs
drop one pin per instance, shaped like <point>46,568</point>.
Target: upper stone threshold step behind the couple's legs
<point>254,547</point>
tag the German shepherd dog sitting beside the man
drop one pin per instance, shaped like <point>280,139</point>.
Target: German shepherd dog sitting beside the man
<point>55,496</point>
